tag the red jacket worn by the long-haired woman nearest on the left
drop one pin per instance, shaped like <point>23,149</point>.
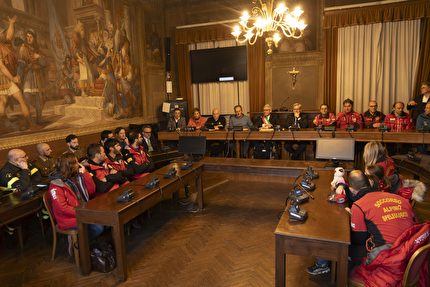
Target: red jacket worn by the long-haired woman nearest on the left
<point>64,200</point>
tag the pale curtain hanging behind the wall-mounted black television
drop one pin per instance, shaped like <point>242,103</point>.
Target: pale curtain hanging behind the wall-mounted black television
<point>221,95</point>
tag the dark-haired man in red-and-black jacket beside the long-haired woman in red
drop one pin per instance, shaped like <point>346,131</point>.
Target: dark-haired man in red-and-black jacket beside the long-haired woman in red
<point>104,176</point>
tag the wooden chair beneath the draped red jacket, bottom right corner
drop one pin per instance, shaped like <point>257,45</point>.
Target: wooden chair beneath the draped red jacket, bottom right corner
<point>411,275</point>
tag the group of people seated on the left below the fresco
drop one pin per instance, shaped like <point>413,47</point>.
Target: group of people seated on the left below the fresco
<point>75,176</point>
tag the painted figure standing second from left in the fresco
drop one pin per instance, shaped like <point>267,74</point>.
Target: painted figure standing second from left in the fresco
<point>33,68</point>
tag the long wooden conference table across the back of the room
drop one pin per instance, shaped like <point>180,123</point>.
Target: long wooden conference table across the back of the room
<point>309,134</point>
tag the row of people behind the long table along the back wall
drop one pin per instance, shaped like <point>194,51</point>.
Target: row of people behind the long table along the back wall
<point>396,120</point>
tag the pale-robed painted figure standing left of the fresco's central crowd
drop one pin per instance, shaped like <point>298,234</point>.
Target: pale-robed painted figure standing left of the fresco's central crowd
<point>83,76</point>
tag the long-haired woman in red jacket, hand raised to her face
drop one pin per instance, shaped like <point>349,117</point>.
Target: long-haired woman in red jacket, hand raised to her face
<point>71,185</point>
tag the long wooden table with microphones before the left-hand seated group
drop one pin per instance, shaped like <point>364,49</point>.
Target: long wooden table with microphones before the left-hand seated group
<point>105,210</point>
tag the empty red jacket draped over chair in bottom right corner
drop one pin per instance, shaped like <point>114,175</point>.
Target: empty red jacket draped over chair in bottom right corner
<point>388,267</point>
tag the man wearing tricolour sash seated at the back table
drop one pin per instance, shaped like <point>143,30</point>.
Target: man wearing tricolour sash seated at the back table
<point>267,121</point>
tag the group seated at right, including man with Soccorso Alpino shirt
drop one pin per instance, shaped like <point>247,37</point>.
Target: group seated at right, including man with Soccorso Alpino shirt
<point>379,202</point>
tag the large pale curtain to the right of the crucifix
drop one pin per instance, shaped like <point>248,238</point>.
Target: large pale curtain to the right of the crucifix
<point>377,62</point>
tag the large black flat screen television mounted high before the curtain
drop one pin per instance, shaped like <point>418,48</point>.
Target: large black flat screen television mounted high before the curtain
<point>219,64</point>
